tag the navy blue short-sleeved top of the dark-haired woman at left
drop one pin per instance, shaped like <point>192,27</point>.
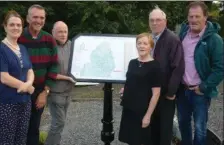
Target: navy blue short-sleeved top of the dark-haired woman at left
<point>11,63</point>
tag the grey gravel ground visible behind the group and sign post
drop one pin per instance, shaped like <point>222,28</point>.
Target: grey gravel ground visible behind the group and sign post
<point>83,125</point>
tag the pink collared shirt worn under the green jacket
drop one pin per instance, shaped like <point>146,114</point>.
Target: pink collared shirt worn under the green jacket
<point>189,43</point>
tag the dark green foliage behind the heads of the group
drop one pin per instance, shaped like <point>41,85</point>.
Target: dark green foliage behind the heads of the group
<point>116,17</point>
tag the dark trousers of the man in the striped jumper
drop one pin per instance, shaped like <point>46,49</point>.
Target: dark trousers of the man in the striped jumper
<point>33,132</point>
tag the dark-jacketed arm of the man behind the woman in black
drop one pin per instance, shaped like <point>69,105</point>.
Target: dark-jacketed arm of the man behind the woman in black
<point>177,65</point>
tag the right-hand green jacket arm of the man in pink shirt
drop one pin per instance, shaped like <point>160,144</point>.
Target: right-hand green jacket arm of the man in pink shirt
<point>216,59</point>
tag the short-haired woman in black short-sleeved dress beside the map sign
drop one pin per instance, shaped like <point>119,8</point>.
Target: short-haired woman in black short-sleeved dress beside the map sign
<point>141,94</point>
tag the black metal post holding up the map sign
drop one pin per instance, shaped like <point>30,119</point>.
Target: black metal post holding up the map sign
<point>107,133</point>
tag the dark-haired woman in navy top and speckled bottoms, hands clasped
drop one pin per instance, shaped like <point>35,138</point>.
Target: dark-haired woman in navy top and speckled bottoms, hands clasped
<point>16,79</point>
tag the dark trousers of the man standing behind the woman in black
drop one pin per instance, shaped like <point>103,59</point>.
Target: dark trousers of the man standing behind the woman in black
<point>162,122</point>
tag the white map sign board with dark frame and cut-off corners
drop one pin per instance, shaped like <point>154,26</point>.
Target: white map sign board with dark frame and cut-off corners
<point>102,58</point>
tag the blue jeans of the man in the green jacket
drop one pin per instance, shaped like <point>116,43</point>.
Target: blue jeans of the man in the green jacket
<point>189,103</point>
